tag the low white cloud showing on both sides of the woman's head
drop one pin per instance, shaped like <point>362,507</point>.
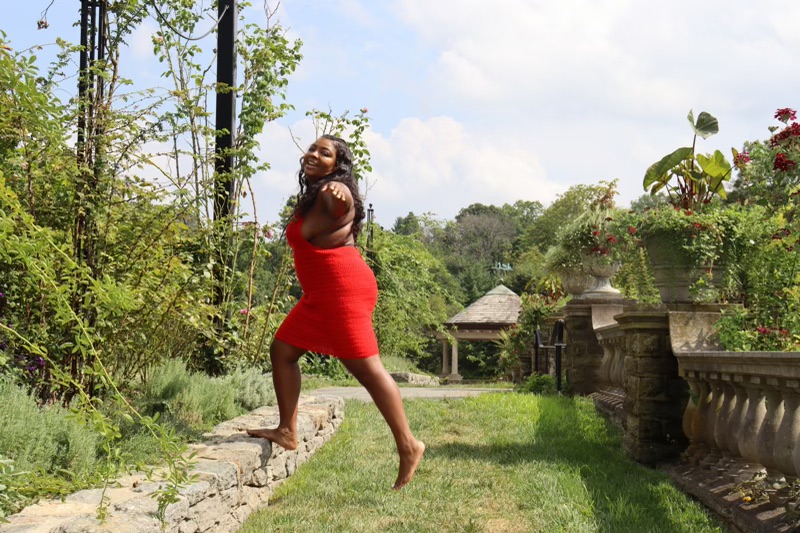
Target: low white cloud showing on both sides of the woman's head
<point>435,165</point>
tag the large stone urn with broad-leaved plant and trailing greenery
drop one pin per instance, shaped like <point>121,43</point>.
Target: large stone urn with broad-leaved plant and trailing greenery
<point>692,240</point>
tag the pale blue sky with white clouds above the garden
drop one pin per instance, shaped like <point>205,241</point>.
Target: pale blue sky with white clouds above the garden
<point>497,101</point>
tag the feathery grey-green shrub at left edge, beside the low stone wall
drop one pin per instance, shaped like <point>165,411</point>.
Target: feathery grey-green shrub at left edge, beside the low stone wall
<point>43,438</point>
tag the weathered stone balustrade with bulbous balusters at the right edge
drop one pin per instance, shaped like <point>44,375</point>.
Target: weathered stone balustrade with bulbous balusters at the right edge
<point>743,405</point>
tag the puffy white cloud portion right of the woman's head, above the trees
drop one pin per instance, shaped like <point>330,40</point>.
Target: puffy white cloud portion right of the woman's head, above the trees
<point>439,166</point>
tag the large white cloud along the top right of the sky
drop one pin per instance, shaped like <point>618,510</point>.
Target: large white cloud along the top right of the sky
<point>612,55</point>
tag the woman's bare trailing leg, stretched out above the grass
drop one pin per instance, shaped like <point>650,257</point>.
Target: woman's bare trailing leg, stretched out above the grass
<point>371,373</point>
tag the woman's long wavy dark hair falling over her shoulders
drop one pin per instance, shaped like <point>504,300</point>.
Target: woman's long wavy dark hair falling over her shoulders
<point>342,172</point>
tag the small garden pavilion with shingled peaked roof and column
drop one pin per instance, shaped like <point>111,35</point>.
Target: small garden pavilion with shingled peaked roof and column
<point>483,320</point>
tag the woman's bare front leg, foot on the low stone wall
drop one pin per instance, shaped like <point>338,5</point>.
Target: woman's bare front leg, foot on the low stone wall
<point>286,379</point>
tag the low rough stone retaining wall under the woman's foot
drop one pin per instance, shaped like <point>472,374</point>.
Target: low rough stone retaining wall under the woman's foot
<point>236,475</point>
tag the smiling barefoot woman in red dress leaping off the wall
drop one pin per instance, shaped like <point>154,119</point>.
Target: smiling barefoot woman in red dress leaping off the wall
<point>334,315</point>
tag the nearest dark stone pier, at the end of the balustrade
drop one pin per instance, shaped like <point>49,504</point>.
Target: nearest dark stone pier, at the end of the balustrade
<point>655,395</point>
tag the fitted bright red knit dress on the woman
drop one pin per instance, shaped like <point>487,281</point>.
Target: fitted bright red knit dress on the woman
<point>334,315</point>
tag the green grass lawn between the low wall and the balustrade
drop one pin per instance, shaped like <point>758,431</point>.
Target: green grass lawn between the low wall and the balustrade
<point>495,463</point>
